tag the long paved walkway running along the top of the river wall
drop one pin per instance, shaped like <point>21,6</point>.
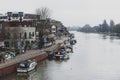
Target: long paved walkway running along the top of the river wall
<point>31,53</point>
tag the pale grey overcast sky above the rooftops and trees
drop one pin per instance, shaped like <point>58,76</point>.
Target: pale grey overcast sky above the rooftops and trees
<point>69,12</point>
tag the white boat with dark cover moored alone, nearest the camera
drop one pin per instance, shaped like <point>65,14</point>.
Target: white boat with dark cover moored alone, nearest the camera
<point>26,66</point>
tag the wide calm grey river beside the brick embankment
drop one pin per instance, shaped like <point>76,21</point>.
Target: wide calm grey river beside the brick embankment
<point>95,57</point>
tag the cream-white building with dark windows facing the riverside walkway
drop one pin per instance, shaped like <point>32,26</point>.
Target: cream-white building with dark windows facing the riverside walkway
<point>19,35</point>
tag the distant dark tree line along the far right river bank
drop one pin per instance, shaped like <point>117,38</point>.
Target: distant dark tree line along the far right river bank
<point>102,28</point>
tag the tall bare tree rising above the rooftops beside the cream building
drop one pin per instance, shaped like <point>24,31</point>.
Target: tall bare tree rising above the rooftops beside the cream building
<point>43,15</point>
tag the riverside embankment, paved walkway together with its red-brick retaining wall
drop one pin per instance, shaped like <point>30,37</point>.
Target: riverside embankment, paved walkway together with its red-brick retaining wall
<point>10,65</point>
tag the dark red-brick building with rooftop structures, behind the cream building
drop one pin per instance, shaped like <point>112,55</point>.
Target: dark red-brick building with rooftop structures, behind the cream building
<point>13,20</point>
